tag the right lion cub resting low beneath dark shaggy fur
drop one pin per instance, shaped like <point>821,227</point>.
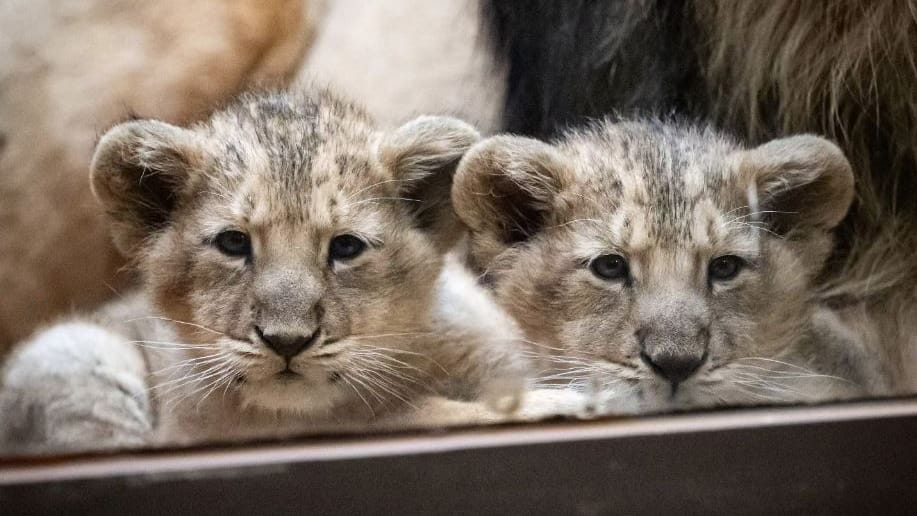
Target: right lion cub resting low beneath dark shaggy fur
<point>660,266</point>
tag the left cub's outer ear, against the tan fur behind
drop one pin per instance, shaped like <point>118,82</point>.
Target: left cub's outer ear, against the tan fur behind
<point>139,172</point>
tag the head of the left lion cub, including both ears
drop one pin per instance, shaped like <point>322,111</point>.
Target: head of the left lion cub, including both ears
<point>283,236</point>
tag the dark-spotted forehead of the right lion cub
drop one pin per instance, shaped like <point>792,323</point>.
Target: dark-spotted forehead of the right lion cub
<point>644,184</point>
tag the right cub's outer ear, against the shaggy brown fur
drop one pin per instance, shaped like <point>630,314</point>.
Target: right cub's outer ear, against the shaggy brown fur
<point>801,182</point>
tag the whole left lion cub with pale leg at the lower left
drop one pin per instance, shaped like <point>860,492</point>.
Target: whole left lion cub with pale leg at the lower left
<point>291,279</point>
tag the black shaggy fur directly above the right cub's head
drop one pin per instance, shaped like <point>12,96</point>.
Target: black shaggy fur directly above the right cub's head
<point>581,58</point>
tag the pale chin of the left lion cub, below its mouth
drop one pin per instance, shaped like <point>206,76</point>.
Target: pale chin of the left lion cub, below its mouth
<point>293,395</point>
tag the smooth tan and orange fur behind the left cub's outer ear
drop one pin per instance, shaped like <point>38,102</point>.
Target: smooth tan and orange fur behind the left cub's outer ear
<point>67,71</point>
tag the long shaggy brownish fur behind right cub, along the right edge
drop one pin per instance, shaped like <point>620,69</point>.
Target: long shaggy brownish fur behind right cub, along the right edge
<point>845,69</point>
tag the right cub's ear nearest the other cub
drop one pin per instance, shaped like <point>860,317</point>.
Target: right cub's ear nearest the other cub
<point>506,191</point>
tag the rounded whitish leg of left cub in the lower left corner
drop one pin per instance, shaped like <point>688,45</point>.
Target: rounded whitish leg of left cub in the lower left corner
<point>74,387</point>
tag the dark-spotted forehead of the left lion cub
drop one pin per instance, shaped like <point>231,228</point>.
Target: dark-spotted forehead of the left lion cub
<point>295,157</point>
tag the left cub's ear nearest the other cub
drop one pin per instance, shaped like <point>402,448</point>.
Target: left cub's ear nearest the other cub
<point>422,155</point>
